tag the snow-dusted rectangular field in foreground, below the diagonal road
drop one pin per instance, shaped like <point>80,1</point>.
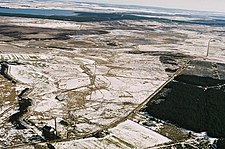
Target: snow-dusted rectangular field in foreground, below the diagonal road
<point>126,135</point>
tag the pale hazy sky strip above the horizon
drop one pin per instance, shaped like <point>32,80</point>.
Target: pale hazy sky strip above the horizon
<point>202,5</point>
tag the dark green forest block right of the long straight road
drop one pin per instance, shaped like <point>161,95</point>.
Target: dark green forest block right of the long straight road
<point>194,100</point>
